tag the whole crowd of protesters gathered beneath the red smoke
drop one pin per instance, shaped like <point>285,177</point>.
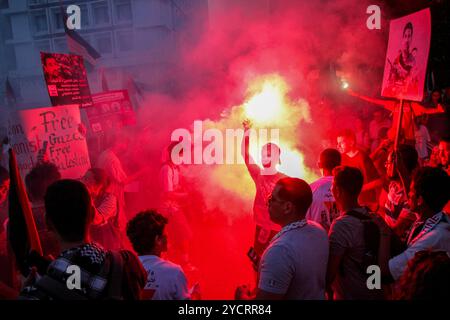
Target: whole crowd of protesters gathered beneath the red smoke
<point>379,202</point>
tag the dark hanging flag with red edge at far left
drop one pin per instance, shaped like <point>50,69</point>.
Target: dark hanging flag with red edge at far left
<point>22,233</point>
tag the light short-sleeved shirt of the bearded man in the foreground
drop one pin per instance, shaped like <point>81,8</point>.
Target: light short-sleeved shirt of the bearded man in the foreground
<point>295,264</point>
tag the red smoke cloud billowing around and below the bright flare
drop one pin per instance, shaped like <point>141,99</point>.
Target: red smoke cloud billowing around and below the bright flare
<point>297,40</point>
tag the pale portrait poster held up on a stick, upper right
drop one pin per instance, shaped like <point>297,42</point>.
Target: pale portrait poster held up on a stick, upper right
<point>407,56</point>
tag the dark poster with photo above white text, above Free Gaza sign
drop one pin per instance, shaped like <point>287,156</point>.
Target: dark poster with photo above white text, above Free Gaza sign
<point>66,79</point>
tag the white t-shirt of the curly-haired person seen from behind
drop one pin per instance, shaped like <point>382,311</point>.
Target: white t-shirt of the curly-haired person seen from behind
<point>165,280</point>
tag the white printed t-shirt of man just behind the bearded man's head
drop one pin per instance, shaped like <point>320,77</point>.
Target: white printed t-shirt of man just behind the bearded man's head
<point>323,209</point>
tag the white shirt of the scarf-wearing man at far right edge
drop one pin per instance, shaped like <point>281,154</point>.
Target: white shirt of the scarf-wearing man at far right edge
<point>437,238</point>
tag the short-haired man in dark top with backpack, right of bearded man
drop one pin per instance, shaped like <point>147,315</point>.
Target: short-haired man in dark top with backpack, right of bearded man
<point>350,243</point>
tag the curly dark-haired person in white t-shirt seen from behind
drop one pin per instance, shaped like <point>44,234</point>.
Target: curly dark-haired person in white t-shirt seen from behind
<point>165,280</point>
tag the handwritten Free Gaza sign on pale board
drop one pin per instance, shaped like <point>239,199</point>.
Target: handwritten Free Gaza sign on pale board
<point>52,134</point>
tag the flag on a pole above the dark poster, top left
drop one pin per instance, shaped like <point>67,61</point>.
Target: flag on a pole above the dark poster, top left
<point>77,44</point>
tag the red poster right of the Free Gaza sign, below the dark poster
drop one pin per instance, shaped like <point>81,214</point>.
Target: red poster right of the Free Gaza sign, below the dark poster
<point>111,110</point>
